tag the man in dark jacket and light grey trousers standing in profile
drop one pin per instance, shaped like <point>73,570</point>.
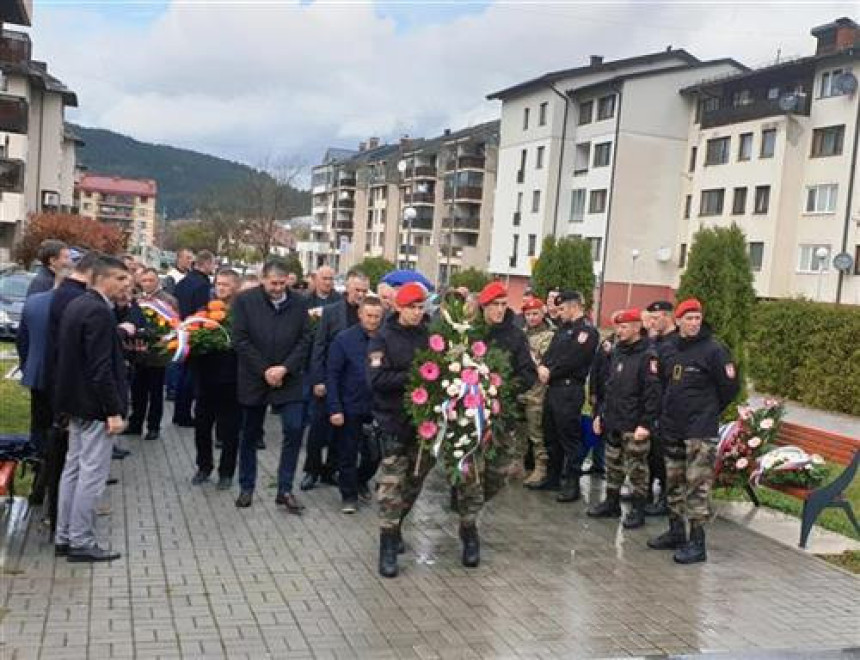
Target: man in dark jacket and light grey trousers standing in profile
<point>91,390</point>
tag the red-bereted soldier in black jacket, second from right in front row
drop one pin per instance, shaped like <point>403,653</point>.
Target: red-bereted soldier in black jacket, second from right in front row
<point>627,415</point>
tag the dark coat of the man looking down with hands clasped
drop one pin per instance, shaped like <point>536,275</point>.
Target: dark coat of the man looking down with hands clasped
<point>265,336</point>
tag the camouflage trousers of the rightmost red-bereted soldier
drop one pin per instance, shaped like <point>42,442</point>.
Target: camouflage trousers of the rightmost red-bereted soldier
<point>690,477</point>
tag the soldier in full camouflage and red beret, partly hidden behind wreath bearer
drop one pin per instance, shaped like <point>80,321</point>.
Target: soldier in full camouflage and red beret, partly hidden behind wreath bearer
<point>539,334</point>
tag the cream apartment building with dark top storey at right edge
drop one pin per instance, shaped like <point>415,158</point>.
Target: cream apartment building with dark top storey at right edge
<point>775,151</point>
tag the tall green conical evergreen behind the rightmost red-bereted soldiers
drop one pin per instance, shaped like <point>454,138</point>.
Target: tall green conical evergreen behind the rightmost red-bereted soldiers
<point>719,274</point>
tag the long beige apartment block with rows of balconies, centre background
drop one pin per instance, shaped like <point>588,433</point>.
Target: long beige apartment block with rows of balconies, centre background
<point>421,203</point>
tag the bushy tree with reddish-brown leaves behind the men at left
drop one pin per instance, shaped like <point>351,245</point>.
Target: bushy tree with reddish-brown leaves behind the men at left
<point>74,230</point>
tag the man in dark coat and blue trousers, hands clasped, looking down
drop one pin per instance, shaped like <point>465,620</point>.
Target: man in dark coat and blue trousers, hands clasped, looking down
<point>270,337</point>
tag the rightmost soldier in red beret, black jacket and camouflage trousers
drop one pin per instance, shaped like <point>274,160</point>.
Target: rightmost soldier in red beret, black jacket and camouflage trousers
<point>701,380</point>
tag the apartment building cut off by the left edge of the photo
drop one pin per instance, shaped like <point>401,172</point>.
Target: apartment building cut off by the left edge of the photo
<point>37,152</point>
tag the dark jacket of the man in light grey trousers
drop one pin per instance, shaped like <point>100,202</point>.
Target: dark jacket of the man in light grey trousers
<point>91,380</point>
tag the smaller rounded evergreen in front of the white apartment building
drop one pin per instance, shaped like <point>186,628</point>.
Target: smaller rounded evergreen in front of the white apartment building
<point>565,264</point>
